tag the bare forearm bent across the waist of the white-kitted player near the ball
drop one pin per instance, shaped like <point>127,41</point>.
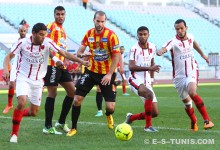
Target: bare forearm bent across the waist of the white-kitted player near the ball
<point>133,67</point>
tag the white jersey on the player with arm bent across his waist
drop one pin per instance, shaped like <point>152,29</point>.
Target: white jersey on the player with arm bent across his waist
<point>142,57</point>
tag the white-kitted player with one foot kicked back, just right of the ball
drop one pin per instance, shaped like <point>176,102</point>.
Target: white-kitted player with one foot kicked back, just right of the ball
<point>142,67</point>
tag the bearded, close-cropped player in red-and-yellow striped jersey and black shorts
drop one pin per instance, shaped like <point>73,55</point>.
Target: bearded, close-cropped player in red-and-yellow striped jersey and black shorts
<point>103,43</point>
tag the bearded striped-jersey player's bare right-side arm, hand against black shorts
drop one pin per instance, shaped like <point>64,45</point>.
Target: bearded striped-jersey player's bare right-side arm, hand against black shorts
<point>107,78</point>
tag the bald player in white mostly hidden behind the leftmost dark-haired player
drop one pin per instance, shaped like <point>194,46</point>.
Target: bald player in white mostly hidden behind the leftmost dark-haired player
<point>22,30</point>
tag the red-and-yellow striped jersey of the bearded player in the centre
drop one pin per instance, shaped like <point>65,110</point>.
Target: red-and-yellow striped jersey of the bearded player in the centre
<point>102,47</point>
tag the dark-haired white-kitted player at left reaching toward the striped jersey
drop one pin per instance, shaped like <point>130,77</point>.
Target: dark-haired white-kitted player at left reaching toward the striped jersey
<point>33,54</point>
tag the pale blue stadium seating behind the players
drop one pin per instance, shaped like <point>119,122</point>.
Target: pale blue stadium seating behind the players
<point>124,20</point>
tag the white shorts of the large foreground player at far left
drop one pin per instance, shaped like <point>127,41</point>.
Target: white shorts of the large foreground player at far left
<point>32,89</point>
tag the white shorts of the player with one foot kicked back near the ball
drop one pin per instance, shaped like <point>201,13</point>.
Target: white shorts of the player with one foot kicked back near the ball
<point>135,83</point>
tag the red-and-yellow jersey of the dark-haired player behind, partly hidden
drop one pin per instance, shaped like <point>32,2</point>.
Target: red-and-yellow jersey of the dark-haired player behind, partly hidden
<point>57,33</point>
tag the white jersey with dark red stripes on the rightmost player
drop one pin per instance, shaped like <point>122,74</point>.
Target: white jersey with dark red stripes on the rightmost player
<point>182,54</point>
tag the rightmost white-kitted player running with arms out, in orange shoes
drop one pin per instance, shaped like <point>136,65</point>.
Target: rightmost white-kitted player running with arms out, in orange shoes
<point>185,71</point>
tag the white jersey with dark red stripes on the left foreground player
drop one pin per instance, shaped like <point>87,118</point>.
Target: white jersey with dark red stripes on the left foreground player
<point>33,59</point>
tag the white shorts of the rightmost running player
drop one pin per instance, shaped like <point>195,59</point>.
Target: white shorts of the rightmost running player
<point>181,85</point>
